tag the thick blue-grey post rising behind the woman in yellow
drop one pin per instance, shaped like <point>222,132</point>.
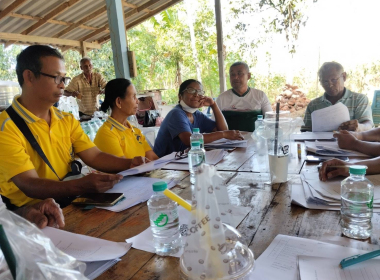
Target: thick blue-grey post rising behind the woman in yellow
<point>116,26</point>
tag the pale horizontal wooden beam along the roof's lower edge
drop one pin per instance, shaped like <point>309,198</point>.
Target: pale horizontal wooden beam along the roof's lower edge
<point>46,40</point>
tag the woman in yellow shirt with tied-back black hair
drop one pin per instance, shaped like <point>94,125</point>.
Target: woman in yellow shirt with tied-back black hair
<point>117,136</point>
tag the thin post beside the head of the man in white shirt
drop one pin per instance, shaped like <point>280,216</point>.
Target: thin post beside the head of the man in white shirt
<point>219,40</point>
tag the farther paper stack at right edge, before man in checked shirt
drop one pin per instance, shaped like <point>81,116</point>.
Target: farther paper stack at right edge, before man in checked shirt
<point>330,149</point>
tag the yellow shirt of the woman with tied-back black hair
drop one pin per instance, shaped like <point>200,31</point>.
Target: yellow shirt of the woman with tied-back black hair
<point>119,140</point>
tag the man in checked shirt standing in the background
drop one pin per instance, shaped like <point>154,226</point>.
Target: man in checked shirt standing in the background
<point>86,87</point>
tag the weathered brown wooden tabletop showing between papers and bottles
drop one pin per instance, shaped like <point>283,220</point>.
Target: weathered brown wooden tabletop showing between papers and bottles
<point>272,213</point>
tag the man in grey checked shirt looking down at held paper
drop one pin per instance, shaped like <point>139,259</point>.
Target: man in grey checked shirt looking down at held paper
<point>332,78</point>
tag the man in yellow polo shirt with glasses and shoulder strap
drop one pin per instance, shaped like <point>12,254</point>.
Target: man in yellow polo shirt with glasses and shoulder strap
<point>25,178</point>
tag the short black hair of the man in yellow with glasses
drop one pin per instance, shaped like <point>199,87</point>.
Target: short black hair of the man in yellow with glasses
<point>30,59</point>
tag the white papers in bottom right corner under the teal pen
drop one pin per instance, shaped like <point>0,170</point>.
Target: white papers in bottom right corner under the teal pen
<point>292,258</point>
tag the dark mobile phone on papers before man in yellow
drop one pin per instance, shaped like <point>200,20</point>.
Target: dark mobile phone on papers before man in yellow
<point>98,199</point>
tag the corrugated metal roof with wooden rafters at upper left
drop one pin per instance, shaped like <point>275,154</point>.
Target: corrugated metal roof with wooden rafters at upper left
<point>68,23</point>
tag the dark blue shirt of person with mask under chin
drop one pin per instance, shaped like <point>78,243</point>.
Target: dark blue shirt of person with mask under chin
<point>176,122</point>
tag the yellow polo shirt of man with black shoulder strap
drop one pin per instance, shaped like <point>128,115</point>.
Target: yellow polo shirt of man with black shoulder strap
<point>60,142</point>
